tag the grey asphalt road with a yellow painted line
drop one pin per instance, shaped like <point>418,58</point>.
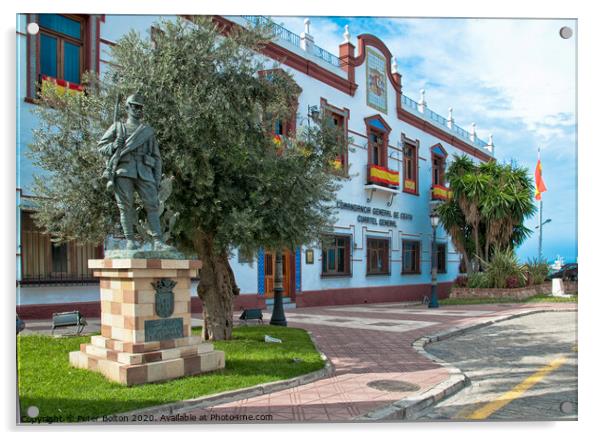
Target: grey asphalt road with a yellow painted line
<point>521,369</point>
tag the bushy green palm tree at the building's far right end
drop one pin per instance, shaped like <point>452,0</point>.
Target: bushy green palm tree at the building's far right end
<point>488,206</point>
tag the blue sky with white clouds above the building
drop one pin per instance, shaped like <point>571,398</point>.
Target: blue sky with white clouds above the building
<point>515,78</point>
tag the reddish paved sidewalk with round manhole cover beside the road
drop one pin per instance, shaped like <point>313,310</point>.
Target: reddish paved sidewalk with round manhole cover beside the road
<point>365,343</point>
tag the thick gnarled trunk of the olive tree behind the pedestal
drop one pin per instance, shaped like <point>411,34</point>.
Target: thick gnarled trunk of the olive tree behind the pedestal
<point>216,290</point>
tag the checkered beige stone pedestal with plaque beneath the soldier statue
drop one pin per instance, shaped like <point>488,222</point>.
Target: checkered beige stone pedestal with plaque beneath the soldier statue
<point>145,323</point>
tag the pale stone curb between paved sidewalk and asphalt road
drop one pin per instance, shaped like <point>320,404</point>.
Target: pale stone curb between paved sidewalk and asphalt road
<point>409,407</point>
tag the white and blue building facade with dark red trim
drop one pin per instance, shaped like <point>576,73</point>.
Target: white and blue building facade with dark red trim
<point>394,168</point>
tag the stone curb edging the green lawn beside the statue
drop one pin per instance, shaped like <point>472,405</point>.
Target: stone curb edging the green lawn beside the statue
<point>170,409</point>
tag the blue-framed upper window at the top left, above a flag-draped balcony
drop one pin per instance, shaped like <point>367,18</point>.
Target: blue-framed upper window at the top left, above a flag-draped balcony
<point>61,47</point>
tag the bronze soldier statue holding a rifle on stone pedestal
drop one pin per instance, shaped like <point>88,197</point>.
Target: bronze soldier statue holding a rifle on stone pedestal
<point>134,164</point>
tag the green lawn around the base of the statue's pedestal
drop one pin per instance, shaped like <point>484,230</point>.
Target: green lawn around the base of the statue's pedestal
<point>63,393</point>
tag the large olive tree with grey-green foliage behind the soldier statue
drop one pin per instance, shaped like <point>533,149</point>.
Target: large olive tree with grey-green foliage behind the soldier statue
<point>233,184</point>
